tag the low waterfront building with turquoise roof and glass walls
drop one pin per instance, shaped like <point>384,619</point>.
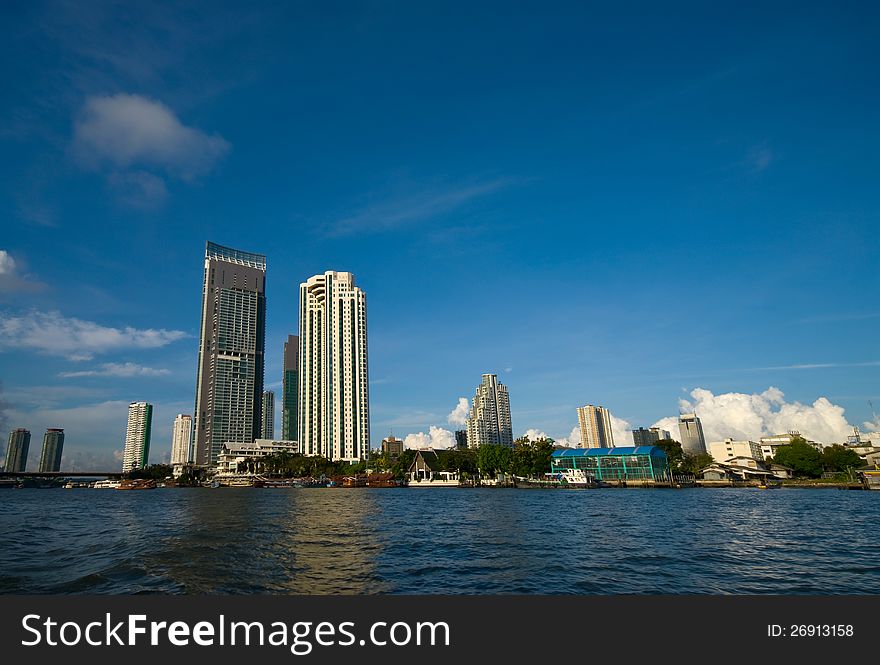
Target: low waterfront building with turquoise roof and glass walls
<point>636,463</point>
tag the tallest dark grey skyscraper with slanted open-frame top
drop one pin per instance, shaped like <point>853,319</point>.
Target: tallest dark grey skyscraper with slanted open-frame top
<point>229,390</point>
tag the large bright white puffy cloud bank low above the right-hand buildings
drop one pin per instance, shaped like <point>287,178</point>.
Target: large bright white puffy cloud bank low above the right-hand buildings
<point>753,415</point>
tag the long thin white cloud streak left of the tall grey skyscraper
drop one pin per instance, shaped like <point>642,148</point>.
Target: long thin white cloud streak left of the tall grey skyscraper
<point>53,334</point>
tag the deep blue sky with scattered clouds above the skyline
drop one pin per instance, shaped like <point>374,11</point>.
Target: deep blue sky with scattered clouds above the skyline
<point>613,204</point>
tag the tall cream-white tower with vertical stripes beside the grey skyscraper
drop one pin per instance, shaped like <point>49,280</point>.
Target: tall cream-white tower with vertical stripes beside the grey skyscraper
<point>333,410</point>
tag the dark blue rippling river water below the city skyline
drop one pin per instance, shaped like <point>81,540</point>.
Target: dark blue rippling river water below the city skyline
<point>439,541</point>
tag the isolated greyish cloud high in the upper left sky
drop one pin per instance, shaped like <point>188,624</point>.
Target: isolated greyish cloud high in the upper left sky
<point>129,130</point>
